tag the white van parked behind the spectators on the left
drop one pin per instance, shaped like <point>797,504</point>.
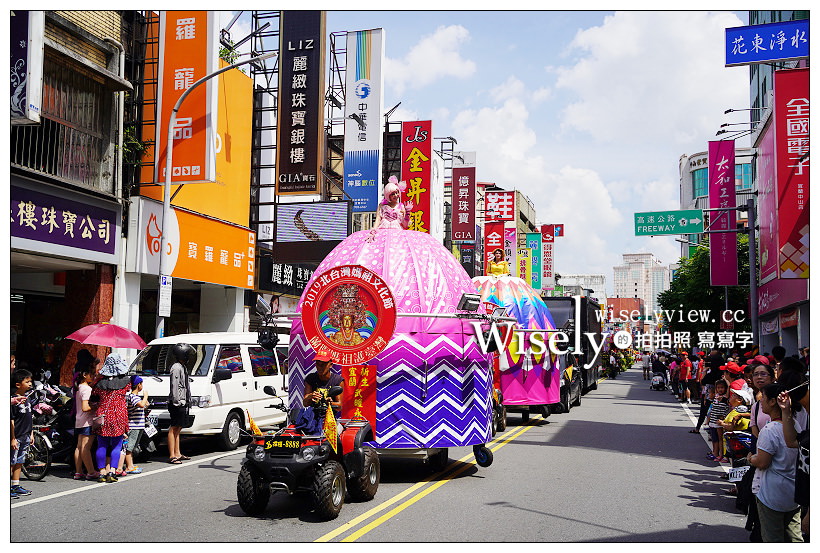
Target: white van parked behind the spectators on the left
<point>227,376</point>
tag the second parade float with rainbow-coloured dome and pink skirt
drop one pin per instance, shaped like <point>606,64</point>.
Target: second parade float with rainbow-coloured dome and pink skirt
<point>525,380</point>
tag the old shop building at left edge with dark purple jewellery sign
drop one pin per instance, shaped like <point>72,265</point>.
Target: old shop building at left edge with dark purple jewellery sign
<point>65,181</point>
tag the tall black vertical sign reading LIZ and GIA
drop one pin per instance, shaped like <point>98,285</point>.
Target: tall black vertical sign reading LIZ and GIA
<point>300,133</point>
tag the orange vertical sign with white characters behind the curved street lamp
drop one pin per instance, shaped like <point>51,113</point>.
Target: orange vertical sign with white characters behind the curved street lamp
<point>188,51</point>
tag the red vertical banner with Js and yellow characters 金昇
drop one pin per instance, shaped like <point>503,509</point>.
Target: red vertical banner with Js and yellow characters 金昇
<point>416,171</point>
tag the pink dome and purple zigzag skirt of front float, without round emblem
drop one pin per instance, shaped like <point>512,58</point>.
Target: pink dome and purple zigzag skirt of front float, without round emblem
<point>434,383</point>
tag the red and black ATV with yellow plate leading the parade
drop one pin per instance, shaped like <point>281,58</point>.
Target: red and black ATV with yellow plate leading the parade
<point>291,461</point>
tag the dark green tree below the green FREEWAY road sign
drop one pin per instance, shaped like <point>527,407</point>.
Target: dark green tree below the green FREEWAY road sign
<point>691,291</point>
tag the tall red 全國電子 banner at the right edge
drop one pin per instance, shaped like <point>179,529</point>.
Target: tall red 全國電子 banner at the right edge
<point>791,120</point>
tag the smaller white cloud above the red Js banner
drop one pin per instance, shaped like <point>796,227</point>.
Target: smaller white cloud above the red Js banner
<point>436,56</point>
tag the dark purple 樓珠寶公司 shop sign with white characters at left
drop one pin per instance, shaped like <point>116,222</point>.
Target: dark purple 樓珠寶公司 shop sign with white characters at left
<point>51,223</point>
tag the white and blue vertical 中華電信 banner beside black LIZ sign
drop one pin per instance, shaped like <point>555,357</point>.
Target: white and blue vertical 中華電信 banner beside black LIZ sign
<point>364,90</point>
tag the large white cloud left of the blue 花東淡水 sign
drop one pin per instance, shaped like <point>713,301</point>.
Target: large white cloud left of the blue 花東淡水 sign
<point>652,76</point>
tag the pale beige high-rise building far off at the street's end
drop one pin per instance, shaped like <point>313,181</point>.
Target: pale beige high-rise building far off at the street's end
<point>641,276</point>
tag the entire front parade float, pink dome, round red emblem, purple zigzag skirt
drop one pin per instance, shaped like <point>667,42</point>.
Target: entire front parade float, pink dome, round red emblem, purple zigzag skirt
<point>389,307</point>
